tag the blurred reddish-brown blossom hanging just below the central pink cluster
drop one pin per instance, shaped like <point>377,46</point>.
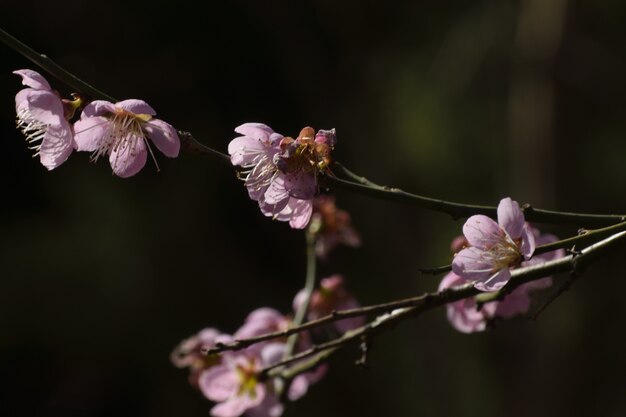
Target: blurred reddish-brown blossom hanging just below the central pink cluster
<point>331,226</point>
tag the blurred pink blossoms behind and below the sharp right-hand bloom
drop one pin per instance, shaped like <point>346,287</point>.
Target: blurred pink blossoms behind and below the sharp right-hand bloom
<point>466,317</point>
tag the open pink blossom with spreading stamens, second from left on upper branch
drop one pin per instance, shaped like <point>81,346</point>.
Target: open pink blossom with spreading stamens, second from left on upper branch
<point>121,131</point>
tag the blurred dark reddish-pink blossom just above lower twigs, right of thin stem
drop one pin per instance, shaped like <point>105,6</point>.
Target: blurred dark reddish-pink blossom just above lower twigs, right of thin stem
<point>331,296</point>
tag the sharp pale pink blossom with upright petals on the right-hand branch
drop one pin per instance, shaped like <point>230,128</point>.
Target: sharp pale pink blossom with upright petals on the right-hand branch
<point>495,248</point>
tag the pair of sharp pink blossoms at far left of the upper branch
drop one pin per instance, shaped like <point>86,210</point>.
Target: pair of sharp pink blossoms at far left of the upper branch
<point>119,131</point>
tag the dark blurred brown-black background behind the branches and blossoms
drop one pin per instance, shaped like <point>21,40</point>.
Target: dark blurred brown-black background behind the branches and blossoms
<point>101,277</point>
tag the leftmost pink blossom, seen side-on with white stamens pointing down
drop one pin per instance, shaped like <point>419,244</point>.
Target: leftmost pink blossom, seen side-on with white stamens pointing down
<point>41,117</point>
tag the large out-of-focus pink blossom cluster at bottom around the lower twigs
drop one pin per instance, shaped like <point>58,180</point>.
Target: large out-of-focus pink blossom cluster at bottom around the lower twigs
<point>233,379</point>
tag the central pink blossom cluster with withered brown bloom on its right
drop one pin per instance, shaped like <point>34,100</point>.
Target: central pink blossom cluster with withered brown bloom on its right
<point>281,173</point>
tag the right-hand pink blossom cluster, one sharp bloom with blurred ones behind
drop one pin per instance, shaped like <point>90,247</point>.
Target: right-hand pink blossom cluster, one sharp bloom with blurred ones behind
<point>486,254</point>
